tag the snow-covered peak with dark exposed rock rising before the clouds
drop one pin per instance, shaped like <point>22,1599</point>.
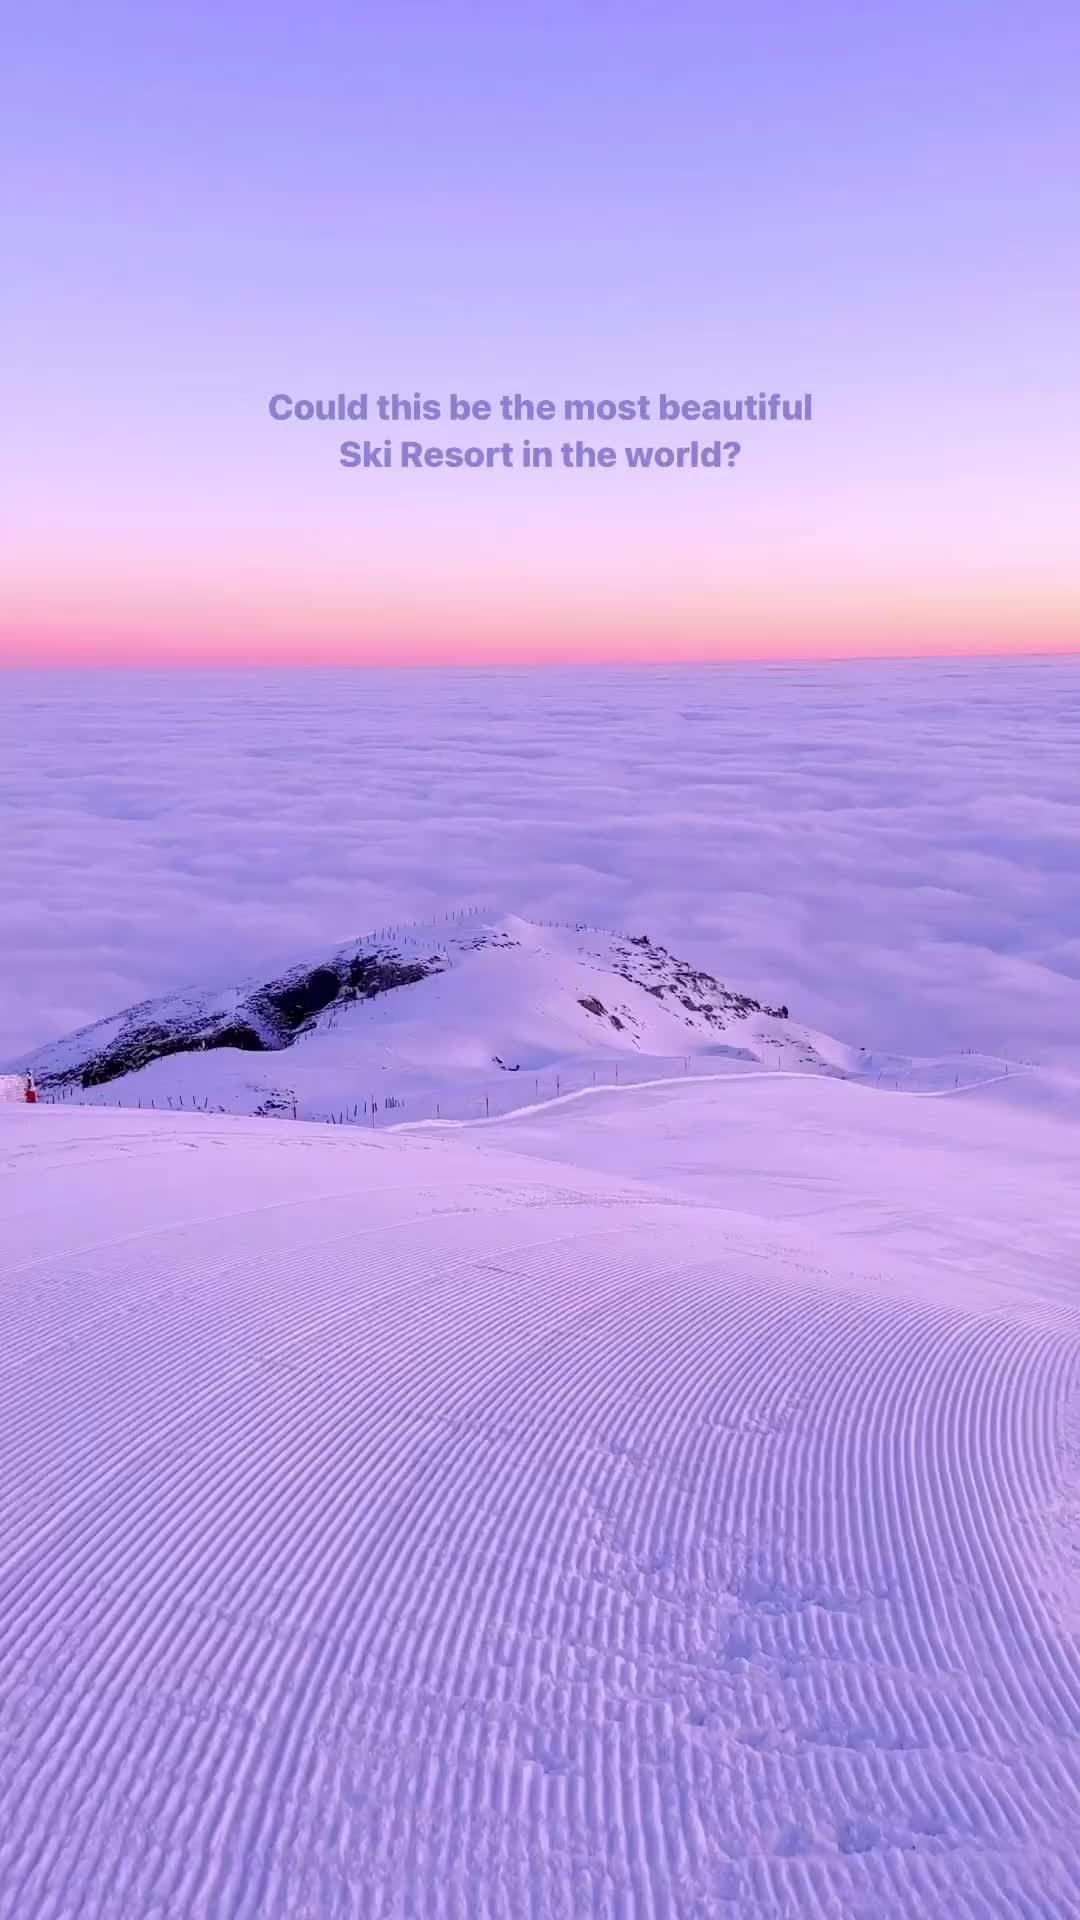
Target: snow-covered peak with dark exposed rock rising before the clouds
<point>435,1019</point>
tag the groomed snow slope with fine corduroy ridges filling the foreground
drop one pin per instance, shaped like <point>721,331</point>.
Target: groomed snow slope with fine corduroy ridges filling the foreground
<point>414,1529</point>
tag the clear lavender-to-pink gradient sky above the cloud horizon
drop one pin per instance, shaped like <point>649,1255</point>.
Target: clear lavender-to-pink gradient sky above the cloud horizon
<point>216,204</point>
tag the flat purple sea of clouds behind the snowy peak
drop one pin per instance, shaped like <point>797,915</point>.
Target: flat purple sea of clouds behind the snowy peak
<point>889,848</point>
